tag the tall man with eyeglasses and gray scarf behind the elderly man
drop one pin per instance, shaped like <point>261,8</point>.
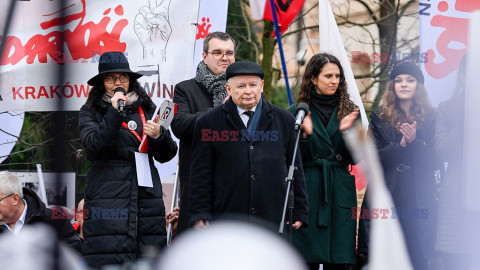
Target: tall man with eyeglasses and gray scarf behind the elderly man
<point>196,96</point>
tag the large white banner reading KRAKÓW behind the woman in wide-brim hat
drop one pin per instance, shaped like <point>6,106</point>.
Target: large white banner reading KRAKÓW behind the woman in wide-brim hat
<point>157,36</point>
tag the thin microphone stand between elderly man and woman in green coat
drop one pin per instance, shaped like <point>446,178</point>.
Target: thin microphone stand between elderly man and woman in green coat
<point>289,195</point>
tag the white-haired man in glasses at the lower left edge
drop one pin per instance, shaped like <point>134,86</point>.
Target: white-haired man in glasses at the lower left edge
<point>21,207</point>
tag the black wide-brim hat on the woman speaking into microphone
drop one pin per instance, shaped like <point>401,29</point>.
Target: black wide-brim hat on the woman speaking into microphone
<point>111,62</point>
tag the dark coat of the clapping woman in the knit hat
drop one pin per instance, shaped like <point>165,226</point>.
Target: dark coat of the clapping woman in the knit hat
<point>417,163</point>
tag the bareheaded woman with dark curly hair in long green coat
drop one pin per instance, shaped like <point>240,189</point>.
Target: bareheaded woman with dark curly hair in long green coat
<point>330,237</point>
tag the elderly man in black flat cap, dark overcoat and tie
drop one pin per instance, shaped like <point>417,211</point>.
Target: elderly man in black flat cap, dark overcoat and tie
<point>241,153</point>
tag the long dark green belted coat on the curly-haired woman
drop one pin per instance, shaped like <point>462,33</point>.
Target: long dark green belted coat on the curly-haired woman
<point>330,236</point>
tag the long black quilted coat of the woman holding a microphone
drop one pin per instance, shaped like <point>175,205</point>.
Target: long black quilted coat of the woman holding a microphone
<point>123,218</point>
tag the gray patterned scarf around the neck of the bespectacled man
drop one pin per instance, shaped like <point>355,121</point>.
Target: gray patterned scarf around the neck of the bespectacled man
<point>215,84</point>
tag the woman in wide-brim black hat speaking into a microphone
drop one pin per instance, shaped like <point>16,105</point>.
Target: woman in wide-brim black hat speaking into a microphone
<point>122,217</point>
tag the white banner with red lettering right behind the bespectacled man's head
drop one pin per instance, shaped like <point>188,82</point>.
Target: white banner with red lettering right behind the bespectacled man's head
<point>212,17</point>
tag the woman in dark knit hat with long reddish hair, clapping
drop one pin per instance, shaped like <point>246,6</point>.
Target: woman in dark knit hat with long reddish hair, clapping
<point>404,130</point>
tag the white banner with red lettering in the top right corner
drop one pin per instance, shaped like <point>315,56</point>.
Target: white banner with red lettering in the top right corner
<point>444,38</point>
